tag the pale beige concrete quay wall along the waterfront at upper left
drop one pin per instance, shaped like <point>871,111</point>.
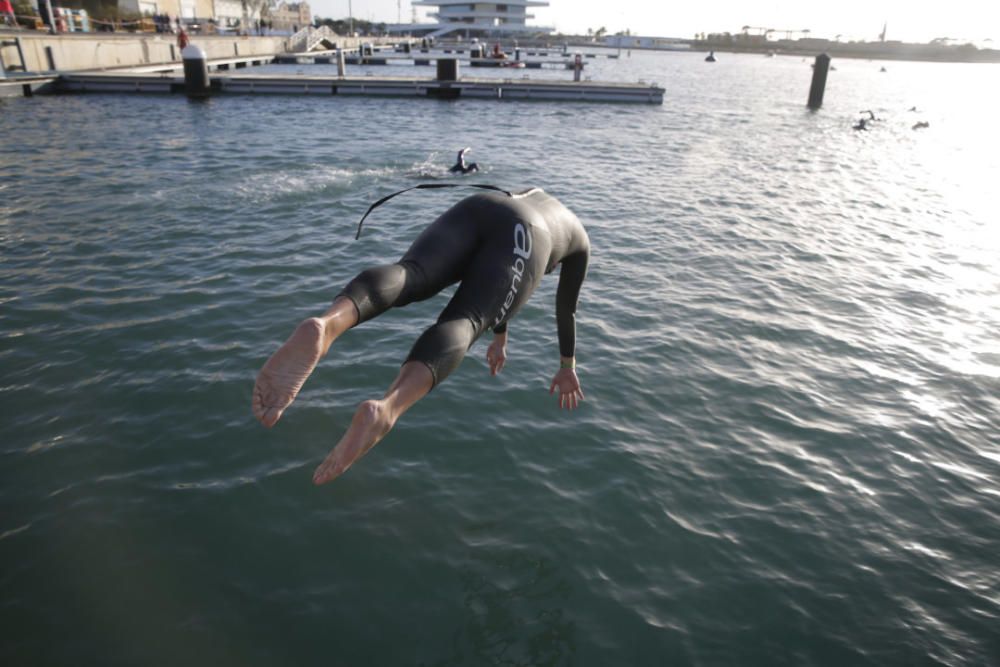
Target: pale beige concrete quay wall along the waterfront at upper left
<point>66,53</point>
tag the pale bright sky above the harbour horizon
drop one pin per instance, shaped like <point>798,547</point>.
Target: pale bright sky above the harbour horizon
<point>971,20</point>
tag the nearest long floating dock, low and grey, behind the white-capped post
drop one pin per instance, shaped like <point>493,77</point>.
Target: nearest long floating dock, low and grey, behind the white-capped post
<point>263,84</point>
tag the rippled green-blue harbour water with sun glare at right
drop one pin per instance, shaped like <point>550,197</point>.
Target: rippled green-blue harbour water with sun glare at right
<point>789,451</point>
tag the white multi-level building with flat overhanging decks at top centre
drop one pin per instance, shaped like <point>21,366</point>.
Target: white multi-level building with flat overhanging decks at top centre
<point>477,18</point>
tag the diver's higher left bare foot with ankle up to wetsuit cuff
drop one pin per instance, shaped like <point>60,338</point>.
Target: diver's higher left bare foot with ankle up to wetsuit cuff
<point>281,378</point>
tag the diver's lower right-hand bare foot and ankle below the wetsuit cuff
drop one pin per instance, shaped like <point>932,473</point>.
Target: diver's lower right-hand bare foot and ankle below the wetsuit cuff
<point>374,418</point>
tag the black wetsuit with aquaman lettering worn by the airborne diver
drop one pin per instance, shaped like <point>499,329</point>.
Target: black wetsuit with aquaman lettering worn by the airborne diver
<point>498,247</point>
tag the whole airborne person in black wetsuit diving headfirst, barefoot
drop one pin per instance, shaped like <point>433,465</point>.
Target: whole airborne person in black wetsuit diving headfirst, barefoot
<point>497,247</point>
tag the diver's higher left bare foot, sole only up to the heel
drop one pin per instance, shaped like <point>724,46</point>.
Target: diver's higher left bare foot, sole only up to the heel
<point>281,378</point>
